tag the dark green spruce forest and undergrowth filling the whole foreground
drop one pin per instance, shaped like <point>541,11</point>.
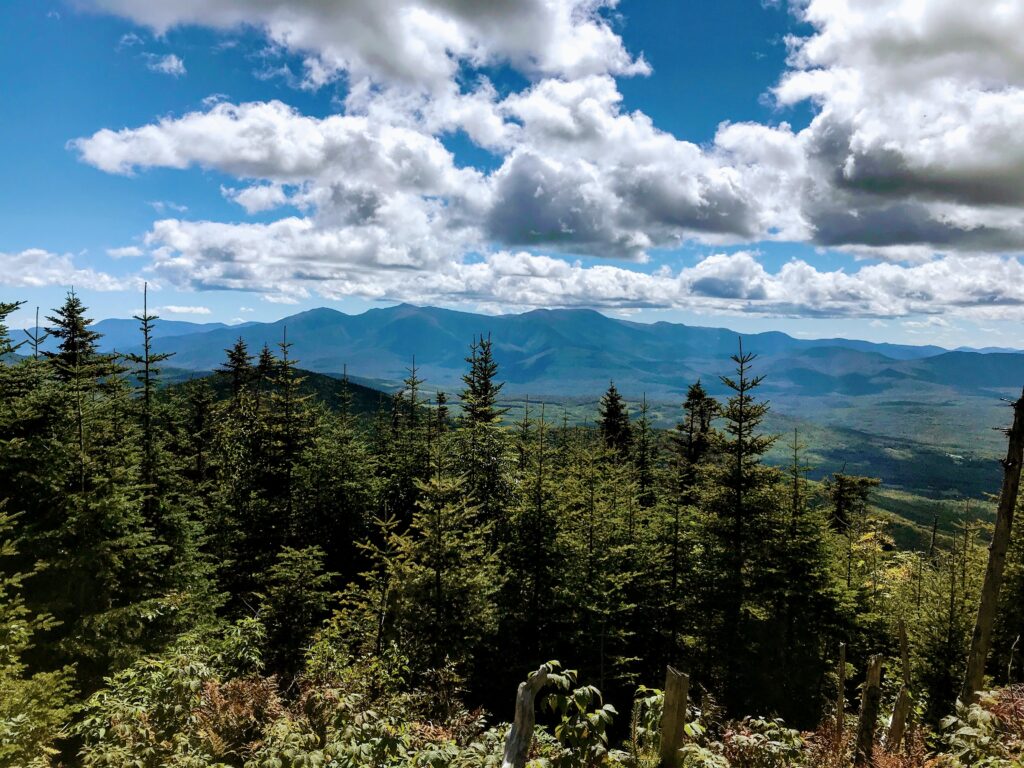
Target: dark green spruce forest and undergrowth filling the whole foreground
<point>246,570</point>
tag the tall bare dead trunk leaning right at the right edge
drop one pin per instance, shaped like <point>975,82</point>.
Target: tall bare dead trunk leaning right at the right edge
<point>982,641</point>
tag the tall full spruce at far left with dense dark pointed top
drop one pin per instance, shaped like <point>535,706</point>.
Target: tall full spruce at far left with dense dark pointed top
<point>104,579</point>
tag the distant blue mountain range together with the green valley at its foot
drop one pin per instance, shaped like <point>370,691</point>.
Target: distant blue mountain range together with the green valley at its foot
<point>919,417</point>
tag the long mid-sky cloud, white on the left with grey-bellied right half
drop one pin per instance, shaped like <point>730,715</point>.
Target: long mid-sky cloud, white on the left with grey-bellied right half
<point>583,178</point>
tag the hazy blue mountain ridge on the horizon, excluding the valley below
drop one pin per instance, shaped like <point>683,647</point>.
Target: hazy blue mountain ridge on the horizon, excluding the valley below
<point>576,353</point>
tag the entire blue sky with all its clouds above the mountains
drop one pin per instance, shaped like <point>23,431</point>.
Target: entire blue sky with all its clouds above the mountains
<point>822,167</point>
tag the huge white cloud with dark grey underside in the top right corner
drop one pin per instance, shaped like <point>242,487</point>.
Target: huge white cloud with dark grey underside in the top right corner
<point>918,112</point>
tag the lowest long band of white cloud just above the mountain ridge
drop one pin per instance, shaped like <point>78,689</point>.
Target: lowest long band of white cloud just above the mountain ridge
<point>305,262</point>
